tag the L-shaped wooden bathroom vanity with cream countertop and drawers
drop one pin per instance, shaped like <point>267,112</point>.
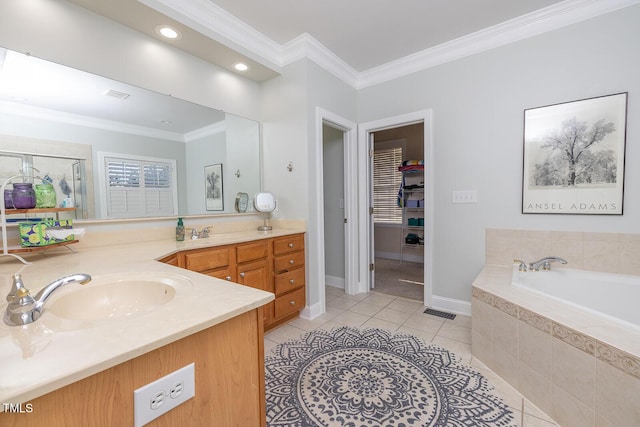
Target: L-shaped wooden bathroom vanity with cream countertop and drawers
<point>67,371</point>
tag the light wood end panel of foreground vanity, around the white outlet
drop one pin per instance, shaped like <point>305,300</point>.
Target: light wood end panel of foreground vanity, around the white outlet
<point>229,368</point>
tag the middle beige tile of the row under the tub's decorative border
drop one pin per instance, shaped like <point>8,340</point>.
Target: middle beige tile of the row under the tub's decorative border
<point>535,349</point>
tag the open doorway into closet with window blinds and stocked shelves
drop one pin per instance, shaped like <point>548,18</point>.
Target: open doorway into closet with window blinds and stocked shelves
<point>398,215</point>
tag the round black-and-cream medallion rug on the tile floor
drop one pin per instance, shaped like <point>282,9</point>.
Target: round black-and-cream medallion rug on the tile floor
<point>352,377</point>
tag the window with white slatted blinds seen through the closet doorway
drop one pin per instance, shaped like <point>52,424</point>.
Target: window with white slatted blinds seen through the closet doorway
<point>386,184</point>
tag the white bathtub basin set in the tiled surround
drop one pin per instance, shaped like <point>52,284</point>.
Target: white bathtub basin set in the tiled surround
<point>614,296</point>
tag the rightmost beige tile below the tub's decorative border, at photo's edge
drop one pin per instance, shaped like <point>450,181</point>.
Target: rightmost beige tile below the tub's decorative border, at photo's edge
<point>617,395</point>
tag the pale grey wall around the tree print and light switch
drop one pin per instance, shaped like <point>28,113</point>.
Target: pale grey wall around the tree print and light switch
<point>478,105</point>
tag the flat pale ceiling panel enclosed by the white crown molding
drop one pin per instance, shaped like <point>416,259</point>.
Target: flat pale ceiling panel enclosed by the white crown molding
<point>369,33</point>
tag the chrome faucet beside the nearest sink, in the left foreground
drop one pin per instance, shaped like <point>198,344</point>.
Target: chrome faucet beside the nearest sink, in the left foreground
<point>24,309</point>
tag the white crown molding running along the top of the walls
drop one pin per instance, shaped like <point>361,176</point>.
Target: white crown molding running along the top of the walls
<point>215,22</point>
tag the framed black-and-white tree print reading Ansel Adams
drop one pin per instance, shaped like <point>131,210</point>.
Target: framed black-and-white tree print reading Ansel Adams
<point>574,157</point>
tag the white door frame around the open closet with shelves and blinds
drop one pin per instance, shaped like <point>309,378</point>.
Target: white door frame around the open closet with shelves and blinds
<point>364,200</point>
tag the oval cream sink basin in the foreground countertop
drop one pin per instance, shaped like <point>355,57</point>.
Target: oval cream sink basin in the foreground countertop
<point>109,297</point>
